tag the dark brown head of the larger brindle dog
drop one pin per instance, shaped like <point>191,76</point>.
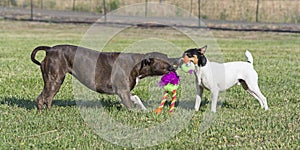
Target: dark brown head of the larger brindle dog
<point>154,67</point>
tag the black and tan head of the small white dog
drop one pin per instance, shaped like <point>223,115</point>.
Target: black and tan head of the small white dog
<point>195,55</point>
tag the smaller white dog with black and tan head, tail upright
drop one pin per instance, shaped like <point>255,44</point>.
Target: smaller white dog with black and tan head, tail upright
<point>218,77</point>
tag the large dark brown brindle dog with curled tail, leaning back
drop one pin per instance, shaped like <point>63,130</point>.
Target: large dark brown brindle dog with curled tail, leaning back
<point>103,72</point>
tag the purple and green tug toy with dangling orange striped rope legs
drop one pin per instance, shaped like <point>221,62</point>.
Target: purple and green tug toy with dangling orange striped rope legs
<point>170,83</point>
